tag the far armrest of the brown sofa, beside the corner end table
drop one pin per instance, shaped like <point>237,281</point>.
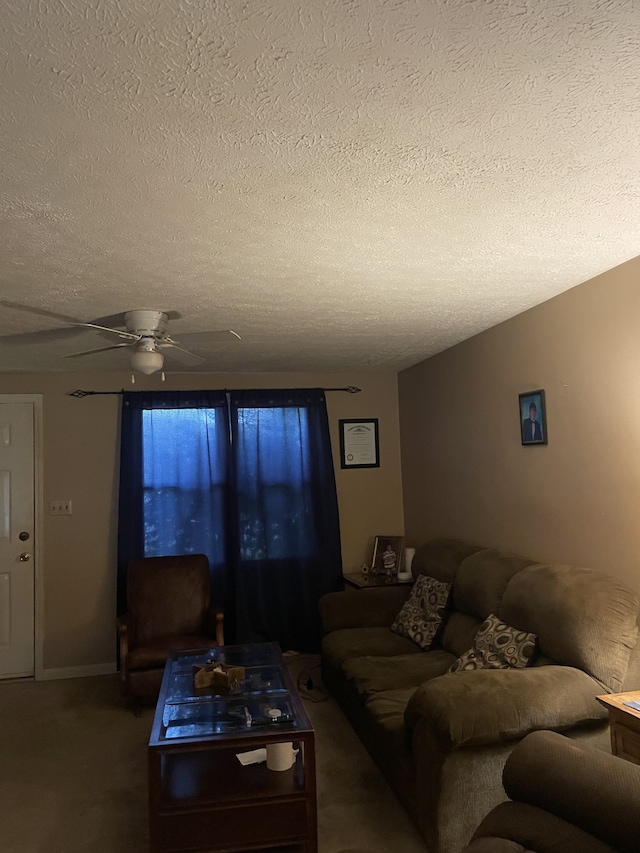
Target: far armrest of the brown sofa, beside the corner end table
<point>376,607</point>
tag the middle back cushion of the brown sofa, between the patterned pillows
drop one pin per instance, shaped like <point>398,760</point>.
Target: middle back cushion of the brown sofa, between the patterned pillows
<point>478,587</point>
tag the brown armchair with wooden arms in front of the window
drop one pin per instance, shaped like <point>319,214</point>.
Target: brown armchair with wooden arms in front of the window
<point>168,600</point>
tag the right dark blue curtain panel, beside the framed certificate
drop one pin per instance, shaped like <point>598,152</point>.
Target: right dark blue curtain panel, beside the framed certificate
<point>288,535</point>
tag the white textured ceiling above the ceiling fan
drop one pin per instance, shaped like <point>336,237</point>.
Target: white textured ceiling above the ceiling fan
<point>346,183</point>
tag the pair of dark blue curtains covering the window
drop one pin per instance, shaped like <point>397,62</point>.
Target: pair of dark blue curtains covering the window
<point>247,478</point>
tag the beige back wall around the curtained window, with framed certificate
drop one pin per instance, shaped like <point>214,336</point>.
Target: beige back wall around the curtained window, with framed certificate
<point>77,556</point>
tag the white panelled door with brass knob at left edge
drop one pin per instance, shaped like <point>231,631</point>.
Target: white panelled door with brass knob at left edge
<point>17,547</point>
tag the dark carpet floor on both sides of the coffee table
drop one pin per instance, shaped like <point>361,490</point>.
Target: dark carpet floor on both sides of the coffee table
<point>73,772</point>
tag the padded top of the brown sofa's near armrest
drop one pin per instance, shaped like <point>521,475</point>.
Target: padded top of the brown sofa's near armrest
<point>493,705</point>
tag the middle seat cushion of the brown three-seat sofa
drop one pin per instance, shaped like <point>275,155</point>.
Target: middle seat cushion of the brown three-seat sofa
<point>375,674</point>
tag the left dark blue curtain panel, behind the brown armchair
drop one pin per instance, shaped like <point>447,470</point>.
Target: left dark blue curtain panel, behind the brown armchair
<point>174,481</point>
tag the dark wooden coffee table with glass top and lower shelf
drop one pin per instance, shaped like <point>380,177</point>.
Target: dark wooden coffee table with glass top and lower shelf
<point>201,798</point>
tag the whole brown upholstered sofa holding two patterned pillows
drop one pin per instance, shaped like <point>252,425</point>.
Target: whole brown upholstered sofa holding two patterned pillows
<point>442,739</point>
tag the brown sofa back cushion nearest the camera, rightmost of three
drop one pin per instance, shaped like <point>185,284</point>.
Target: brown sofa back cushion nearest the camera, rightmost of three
<point>582,618</point>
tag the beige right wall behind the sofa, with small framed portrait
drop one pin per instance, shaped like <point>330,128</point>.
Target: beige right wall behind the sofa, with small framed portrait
<point>575,500</point>
